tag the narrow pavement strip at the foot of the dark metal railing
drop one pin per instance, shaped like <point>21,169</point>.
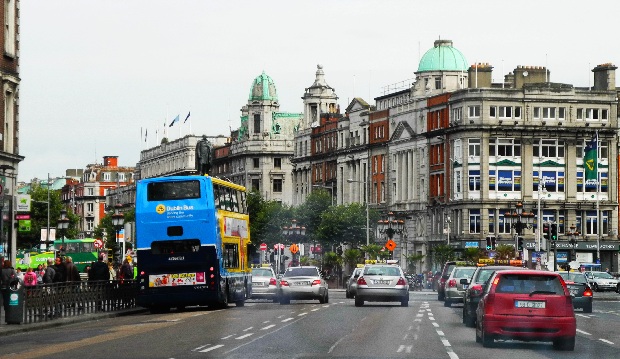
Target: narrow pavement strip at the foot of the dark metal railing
<point>9,329</point>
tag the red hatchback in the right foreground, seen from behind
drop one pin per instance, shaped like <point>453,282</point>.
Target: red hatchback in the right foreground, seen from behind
<point>526,305</point>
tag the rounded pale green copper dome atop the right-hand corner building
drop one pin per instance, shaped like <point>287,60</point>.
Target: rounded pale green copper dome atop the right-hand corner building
<point>443,57</point>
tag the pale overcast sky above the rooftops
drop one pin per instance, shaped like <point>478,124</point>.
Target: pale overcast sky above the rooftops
<point>96,75</point>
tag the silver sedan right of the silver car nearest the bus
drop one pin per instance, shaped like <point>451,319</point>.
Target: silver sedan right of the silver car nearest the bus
<point>303,283</point>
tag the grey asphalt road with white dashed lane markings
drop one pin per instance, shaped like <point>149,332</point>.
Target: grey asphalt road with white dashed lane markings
<point>304,329</point>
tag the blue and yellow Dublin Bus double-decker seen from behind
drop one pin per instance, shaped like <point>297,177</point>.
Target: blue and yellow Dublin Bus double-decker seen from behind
<point>192,236</point>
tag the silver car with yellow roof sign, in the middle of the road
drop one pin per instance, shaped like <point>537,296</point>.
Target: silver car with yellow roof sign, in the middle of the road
<point>382,283</point>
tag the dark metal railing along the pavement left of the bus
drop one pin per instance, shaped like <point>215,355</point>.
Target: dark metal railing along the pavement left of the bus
<point>58,300</point>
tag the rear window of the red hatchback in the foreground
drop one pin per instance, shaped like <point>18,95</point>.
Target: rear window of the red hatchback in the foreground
<point>525,283</point>
